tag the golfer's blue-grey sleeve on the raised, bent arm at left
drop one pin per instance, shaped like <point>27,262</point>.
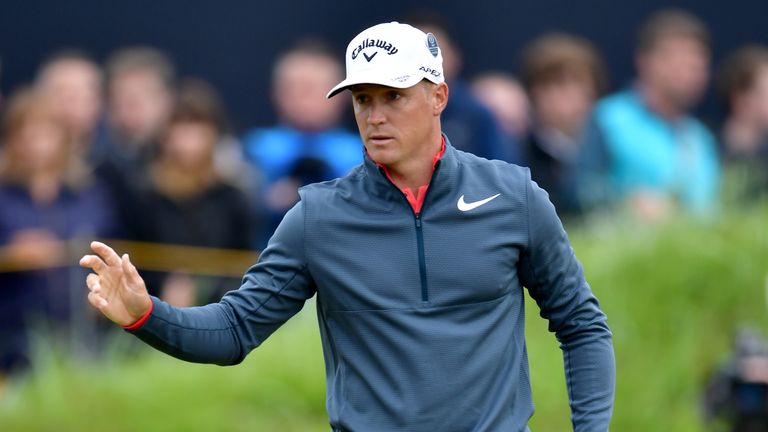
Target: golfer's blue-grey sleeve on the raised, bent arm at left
<point>272,291</point>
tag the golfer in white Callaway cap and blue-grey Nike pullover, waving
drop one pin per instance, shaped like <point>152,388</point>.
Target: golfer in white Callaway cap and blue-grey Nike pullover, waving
<point>418,259</point>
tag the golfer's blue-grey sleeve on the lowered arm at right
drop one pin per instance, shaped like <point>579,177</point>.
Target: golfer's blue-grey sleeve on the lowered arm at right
<point>555,280</point>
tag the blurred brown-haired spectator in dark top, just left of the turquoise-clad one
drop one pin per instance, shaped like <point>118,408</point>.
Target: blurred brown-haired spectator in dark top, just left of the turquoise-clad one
<point>564,75</point>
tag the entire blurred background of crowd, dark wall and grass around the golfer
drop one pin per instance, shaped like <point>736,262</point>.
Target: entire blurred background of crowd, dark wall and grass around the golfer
<point>180,132</point>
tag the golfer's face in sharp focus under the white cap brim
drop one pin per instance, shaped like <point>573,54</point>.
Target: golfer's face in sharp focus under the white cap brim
<point>397,124</point>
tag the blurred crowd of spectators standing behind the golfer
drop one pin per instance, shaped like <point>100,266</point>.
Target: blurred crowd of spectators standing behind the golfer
<point>128,149</point>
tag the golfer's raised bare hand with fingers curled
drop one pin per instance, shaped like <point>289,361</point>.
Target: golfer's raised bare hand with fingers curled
<point>116,289</point>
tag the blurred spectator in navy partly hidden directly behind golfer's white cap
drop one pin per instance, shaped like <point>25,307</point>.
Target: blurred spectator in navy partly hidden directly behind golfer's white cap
<point>470,125</point>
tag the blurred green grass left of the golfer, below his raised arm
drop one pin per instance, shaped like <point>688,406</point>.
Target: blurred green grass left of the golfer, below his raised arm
<point>279,387</point>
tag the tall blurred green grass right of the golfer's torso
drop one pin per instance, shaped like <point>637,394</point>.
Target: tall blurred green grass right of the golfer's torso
<point>675,295</point>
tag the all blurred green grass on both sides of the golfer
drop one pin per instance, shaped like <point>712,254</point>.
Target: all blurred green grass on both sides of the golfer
<point>674,293</point>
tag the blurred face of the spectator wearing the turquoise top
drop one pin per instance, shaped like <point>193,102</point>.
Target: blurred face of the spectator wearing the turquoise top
<point>678,68</point>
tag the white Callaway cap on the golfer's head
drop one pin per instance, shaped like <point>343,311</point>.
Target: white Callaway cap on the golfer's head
<point>393,55</point>
